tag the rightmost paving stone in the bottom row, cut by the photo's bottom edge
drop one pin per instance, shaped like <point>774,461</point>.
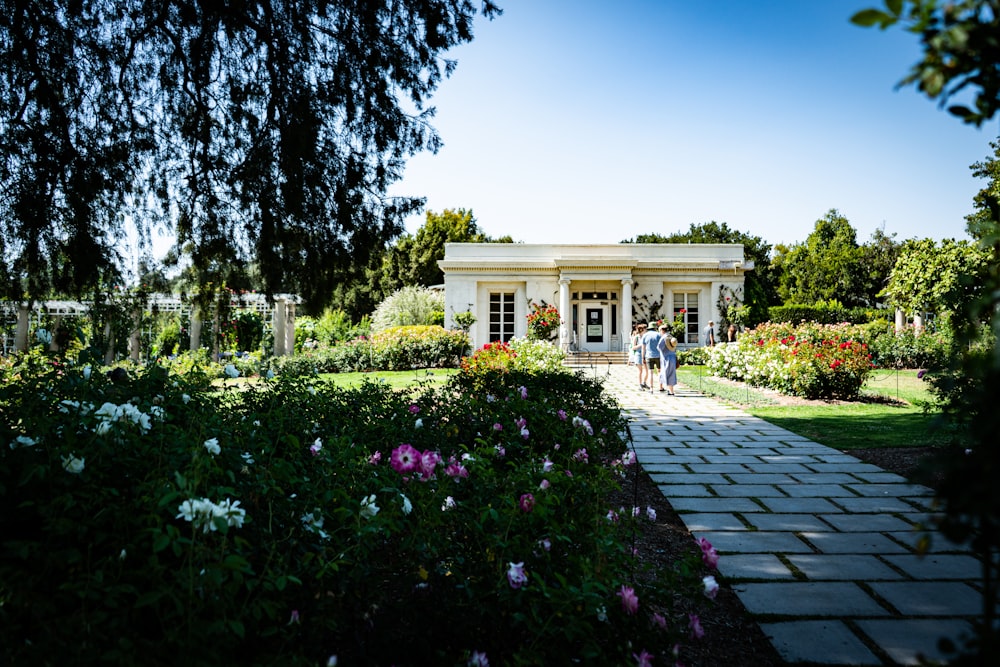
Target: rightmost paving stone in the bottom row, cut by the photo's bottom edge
<point>905,641</point>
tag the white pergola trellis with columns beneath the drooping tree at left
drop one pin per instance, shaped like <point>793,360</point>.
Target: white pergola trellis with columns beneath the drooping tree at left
<point>18,320</point>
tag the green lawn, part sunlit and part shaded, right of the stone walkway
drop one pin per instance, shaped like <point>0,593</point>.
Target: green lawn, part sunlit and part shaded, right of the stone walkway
<point>899,423</point>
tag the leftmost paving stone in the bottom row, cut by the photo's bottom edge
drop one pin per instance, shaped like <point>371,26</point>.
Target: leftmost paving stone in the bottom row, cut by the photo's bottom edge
<point>818,642</point>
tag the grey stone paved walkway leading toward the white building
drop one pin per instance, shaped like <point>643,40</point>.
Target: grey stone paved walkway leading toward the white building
<point>819,546</point>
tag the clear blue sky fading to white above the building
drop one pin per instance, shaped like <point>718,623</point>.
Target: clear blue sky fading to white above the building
<point>594,121</point>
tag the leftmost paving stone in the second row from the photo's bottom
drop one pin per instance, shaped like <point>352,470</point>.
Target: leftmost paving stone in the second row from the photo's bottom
<point>808,598</point>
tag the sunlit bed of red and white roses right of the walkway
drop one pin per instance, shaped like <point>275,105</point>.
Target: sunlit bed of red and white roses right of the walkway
<point>809,360</point>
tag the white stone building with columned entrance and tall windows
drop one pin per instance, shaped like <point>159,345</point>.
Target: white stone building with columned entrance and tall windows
<point>600,290</point>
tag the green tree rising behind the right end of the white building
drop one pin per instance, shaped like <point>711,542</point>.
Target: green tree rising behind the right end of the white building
<point>758,289</point>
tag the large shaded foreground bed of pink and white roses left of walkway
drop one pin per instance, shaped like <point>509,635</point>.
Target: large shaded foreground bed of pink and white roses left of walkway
<point>290,522</point>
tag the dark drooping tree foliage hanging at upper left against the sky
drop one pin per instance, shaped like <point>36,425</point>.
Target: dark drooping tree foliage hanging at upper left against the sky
<point>265,132</point>
